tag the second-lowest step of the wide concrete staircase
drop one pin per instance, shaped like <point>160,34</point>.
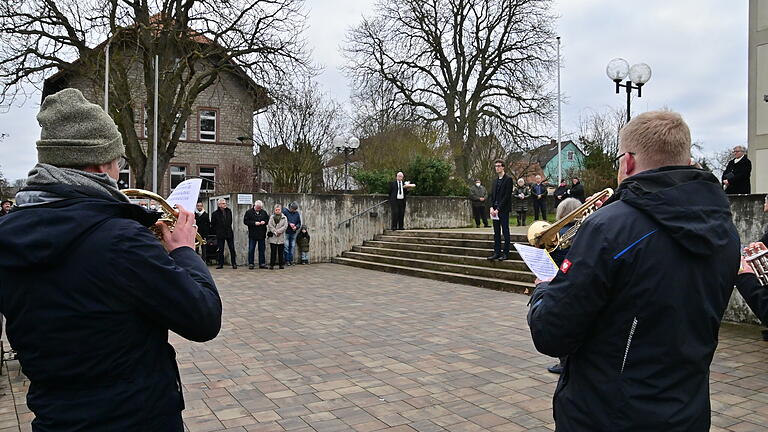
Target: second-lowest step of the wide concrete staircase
<point>494,273</point>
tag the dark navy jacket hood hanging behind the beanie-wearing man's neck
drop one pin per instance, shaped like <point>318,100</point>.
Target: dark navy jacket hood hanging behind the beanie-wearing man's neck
<point>54,218</point>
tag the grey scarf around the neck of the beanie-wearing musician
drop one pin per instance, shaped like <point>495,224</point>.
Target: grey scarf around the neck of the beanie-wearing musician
<point>46,175</point>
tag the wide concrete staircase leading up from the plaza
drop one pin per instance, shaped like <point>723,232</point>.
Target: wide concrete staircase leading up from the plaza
<point>447,255</point>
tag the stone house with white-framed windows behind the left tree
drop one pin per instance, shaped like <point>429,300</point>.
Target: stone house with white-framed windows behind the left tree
<point>216,144</point>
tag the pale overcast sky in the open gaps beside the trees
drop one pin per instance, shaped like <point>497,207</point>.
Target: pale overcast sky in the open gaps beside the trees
<point>696,48</point>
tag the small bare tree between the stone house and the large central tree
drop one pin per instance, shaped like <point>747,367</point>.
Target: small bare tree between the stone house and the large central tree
<point>295,136</point>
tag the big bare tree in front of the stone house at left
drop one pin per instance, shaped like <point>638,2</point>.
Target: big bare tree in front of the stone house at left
<point>198,42</point>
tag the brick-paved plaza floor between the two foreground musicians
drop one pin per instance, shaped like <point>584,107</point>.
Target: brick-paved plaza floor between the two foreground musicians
<point>333,348</point>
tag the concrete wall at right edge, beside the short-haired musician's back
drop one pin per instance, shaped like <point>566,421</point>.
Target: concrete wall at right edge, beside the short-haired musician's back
<point>751,222</point>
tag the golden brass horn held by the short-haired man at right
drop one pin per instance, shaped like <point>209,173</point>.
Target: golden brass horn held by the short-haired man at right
<point>547,236</point>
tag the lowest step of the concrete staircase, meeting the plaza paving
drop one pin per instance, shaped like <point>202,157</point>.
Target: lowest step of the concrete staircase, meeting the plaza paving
<point>485,282</point>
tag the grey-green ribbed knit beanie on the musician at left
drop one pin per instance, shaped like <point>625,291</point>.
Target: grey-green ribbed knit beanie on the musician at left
<point>76,133</point>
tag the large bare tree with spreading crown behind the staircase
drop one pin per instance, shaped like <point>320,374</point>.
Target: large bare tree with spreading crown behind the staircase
<point>457,62</point>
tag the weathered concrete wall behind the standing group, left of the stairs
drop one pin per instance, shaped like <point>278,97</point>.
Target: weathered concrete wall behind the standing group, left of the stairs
<point>323,213</point>
